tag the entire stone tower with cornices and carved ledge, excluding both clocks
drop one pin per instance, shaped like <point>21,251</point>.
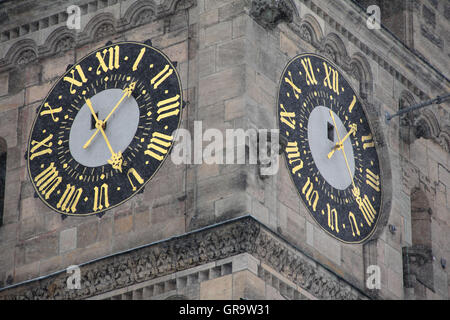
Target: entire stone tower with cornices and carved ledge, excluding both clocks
<point>211,231</point>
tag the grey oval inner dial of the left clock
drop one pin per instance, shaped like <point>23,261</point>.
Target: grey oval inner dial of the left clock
<point>120,128</point>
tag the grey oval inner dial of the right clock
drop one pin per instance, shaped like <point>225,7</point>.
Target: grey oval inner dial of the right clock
<point>322,138</point>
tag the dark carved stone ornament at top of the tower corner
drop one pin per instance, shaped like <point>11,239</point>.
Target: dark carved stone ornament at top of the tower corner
<point>269,13</point>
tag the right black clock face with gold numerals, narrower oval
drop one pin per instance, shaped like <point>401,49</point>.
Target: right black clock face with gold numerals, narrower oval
<point>330,153</point>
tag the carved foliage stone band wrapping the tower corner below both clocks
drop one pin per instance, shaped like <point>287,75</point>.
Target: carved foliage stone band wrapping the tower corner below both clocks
<point>217,242</point>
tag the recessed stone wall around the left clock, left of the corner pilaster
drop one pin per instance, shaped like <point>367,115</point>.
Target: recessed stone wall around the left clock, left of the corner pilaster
<point>34,241</point>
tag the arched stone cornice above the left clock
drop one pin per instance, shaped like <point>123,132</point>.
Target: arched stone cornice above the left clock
<point>100,26</point>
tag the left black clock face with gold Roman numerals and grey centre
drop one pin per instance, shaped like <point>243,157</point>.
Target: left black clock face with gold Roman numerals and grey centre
<point>104,129</point>
